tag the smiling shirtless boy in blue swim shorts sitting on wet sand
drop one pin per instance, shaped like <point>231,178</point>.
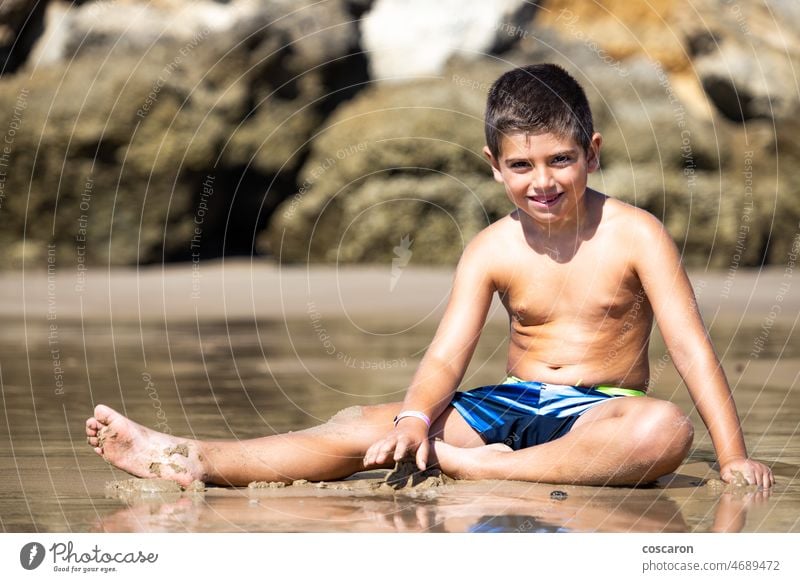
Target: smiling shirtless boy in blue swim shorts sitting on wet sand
<point>582,277</point>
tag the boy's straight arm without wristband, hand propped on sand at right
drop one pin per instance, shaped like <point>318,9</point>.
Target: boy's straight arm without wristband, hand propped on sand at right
<point>667,286</point>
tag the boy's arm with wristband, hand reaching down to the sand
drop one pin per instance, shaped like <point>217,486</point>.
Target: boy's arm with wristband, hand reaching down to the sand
<point>446,359</point>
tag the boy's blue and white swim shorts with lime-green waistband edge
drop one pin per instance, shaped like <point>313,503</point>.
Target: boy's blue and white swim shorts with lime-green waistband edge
<point>523,414</point>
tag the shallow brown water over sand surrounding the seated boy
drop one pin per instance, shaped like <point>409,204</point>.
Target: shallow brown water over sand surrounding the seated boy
<point>241,380</point>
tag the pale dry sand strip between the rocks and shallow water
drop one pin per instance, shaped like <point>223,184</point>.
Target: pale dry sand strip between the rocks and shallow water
<point>243,289</point>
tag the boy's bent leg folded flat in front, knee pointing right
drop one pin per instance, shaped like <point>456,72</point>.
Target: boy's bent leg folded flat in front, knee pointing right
<point>620,442</point>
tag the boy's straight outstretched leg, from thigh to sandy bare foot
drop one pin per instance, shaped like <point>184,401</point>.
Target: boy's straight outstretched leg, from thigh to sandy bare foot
<point>330,451</point>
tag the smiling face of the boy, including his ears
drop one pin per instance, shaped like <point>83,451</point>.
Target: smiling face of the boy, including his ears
<point>545,175</point>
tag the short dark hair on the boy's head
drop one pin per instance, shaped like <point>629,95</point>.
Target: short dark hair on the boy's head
<point>537,99</point>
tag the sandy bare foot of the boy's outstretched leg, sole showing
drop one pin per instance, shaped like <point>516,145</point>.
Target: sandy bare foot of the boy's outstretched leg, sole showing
<point>143,452</point>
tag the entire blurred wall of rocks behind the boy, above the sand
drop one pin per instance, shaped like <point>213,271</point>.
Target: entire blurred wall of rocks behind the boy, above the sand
<point>143,131</point>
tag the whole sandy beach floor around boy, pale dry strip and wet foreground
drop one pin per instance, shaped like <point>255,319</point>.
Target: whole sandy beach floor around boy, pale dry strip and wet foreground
<point>243,355</point>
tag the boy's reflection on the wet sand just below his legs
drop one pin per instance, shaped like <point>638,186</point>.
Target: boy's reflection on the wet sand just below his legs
<point>467,507</point>
